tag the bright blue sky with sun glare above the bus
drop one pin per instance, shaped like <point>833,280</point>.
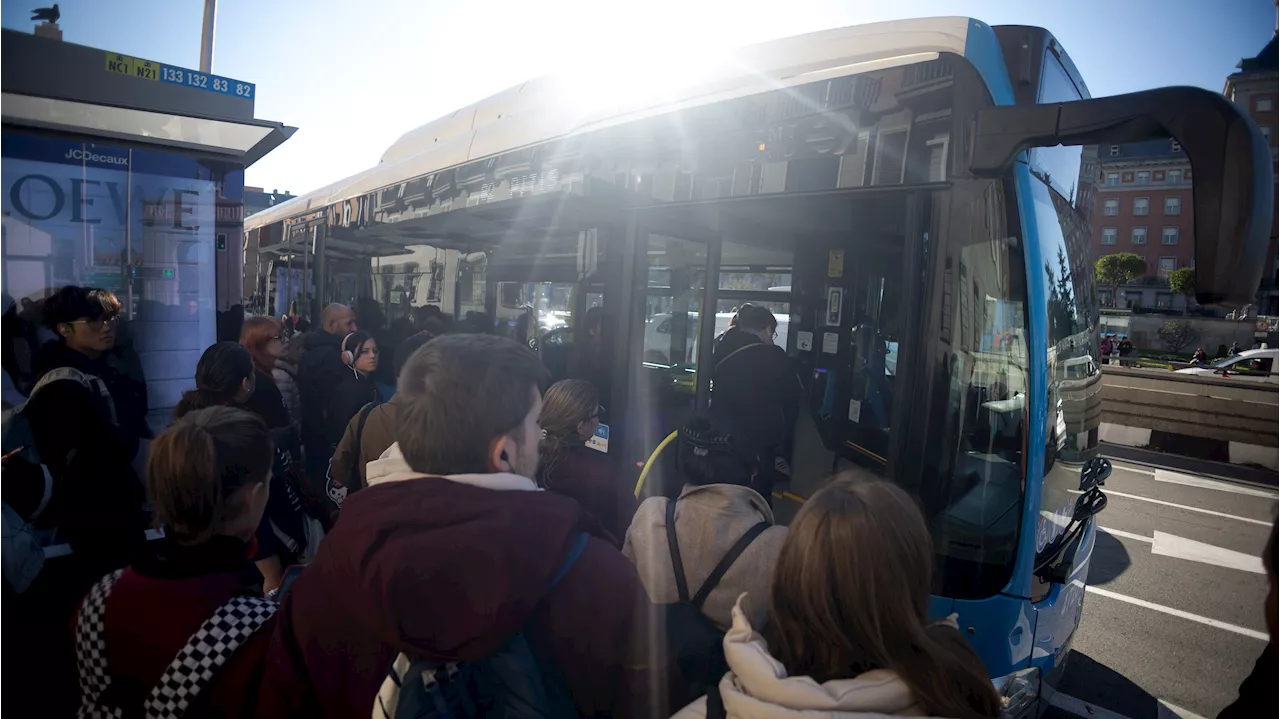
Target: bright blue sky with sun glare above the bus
<point>356,76</point>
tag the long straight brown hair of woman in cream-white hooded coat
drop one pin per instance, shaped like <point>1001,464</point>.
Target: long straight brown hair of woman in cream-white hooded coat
<point>851,594</point>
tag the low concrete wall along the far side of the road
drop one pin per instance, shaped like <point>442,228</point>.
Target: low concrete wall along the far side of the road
<point>1209,418</point>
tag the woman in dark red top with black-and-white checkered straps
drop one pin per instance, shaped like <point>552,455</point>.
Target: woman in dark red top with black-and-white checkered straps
<point>179,631</point>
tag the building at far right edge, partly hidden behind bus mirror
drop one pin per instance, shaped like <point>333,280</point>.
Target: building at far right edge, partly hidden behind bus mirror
<point>1256,88</point>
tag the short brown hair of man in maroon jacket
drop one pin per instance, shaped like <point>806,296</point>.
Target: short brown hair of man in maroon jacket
<point>460,393</point>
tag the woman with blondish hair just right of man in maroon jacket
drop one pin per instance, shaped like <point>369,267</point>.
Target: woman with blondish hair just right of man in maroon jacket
<point>568,466</point>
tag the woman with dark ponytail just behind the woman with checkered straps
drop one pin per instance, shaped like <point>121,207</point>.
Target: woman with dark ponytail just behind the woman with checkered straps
<point>226,377</point>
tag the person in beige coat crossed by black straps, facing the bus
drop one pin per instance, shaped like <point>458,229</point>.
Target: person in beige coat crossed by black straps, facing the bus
<point>714,512</point>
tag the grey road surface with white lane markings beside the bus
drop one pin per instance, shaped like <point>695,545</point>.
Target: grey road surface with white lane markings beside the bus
<point>1173,617</point>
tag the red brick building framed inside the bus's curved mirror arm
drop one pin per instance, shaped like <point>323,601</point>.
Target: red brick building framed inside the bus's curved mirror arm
<point>1139,199</point>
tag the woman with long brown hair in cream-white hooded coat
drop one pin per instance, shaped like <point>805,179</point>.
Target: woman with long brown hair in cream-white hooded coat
<point>848,634</point>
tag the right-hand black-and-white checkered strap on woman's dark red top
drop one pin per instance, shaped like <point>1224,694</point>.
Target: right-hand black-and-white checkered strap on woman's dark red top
<point>205,653</point>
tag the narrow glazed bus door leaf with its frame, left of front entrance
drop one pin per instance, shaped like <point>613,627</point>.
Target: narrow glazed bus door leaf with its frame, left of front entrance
<point>674,306</point>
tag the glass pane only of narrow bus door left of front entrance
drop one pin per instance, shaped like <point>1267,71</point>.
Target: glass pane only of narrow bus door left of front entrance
<point>674,273</point>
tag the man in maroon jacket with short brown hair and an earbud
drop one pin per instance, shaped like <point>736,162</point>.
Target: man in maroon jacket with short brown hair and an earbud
<point>451,556</point>
